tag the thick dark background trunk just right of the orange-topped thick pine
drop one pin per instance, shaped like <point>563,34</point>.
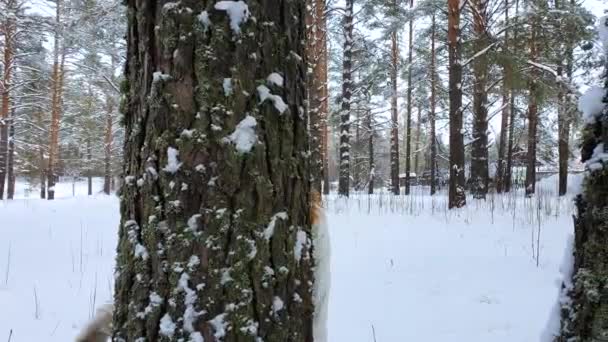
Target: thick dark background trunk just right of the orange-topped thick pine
<point>479,149</point>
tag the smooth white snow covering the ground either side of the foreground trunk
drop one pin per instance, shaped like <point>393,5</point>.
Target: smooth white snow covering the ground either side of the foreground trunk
<point>402,268</point>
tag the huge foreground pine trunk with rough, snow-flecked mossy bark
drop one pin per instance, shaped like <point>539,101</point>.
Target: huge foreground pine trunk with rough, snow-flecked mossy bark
<point>217,185</point>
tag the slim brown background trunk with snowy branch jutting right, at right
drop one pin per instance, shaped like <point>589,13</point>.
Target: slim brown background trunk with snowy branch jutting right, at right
<point>532,113</point>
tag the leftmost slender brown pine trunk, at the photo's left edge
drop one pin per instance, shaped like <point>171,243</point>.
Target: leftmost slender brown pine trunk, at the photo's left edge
<point>8,29</point>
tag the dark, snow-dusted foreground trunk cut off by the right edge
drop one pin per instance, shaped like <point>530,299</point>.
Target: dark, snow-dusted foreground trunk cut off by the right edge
<point>585,313</point>
